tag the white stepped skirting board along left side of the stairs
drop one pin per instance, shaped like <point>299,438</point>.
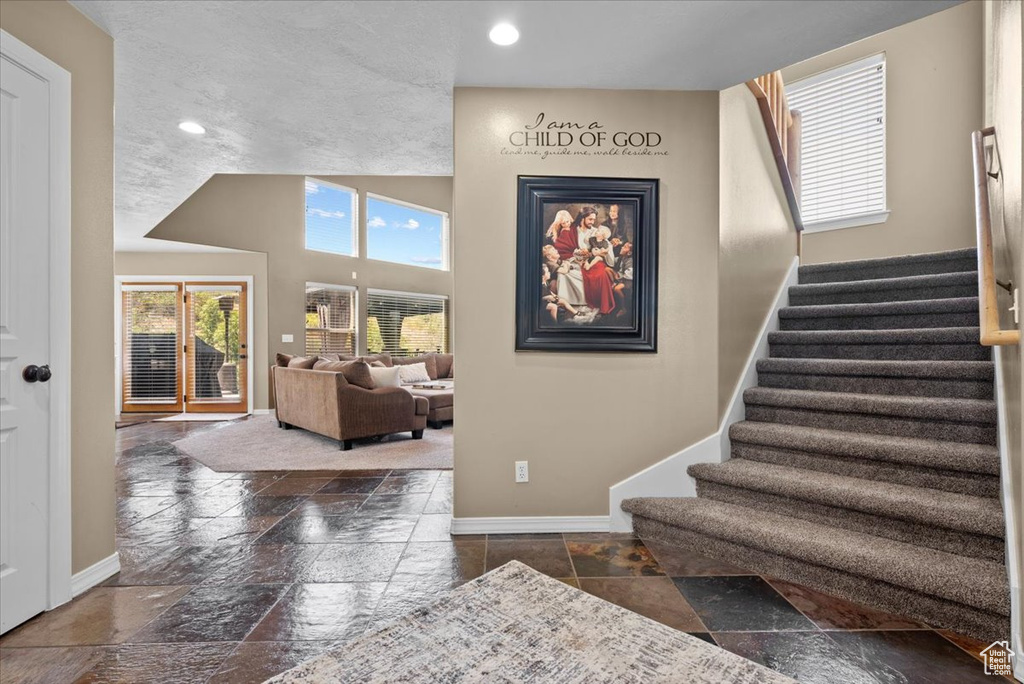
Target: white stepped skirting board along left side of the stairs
<point>668,478</point>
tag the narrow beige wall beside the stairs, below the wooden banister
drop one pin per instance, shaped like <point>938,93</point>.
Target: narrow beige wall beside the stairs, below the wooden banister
<point>757,238</point>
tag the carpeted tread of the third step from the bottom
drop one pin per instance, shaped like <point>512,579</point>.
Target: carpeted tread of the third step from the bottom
<point>955,456</point>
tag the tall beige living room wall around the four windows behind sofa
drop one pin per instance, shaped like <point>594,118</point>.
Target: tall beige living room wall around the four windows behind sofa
<point>267,213</point>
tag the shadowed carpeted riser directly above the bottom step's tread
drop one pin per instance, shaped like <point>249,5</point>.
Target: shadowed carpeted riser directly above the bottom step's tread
<point>942,539</point>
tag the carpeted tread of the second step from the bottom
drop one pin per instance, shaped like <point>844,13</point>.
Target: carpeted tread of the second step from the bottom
<point>941,509</point>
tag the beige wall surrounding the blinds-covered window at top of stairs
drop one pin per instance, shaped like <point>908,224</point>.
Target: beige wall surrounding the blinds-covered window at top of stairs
<point>934,95</point>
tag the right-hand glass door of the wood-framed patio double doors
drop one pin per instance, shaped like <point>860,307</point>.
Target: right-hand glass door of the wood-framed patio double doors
<point>217,351</point>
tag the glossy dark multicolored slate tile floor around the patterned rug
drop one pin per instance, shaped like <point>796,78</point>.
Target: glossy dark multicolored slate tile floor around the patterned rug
<point>237,577</point>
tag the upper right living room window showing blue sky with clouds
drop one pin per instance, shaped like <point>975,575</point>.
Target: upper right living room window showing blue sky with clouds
<point>406,234</point>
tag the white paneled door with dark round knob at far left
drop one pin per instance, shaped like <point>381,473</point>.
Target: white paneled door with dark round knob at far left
<point>25,407</point>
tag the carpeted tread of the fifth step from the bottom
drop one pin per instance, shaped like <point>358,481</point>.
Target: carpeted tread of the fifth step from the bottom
<point>945,370</point>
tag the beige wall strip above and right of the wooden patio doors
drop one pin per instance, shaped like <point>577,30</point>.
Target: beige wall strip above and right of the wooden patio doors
<point>254,265</point>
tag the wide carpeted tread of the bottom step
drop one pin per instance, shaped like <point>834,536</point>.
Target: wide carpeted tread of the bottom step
<point>907,566</point>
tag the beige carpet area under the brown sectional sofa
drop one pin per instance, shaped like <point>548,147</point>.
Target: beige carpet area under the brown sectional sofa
<point>260,445</point>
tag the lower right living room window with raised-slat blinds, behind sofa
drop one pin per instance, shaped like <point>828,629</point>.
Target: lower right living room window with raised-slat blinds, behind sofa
<point>406,324</point>
